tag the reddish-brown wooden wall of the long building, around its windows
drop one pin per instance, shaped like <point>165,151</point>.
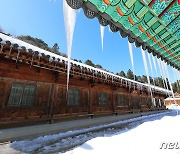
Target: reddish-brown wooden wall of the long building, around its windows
<point>51,94</point>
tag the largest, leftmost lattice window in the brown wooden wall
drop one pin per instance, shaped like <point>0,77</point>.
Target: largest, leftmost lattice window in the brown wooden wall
<point>21,95</point>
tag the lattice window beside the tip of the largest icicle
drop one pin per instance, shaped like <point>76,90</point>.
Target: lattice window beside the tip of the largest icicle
<point>73,97</point>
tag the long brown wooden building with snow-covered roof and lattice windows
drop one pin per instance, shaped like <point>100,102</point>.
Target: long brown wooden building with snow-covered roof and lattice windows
<point>33,88</point>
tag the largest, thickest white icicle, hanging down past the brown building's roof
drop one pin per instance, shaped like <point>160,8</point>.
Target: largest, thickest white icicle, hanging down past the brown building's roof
<point>69,20</point>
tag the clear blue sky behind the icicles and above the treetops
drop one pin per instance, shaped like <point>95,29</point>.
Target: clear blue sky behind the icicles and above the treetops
<point>44,19</point>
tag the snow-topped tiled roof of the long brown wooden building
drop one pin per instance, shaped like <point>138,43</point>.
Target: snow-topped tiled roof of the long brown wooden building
<point>35,51</point>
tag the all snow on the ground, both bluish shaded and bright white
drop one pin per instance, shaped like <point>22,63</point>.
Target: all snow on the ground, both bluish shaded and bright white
<point>147,135</point>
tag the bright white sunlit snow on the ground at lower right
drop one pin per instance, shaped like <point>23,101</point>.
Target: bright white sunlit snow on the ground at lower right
<point>151,137</point>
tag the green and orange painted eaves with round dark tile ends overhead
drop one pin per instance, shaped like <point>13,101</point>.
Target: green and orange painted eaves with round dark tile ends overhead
<point>152,24</point>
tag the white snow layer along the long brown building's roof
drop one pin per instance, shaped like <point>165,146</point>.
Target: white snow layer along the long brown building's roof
<point>34,48</point>
